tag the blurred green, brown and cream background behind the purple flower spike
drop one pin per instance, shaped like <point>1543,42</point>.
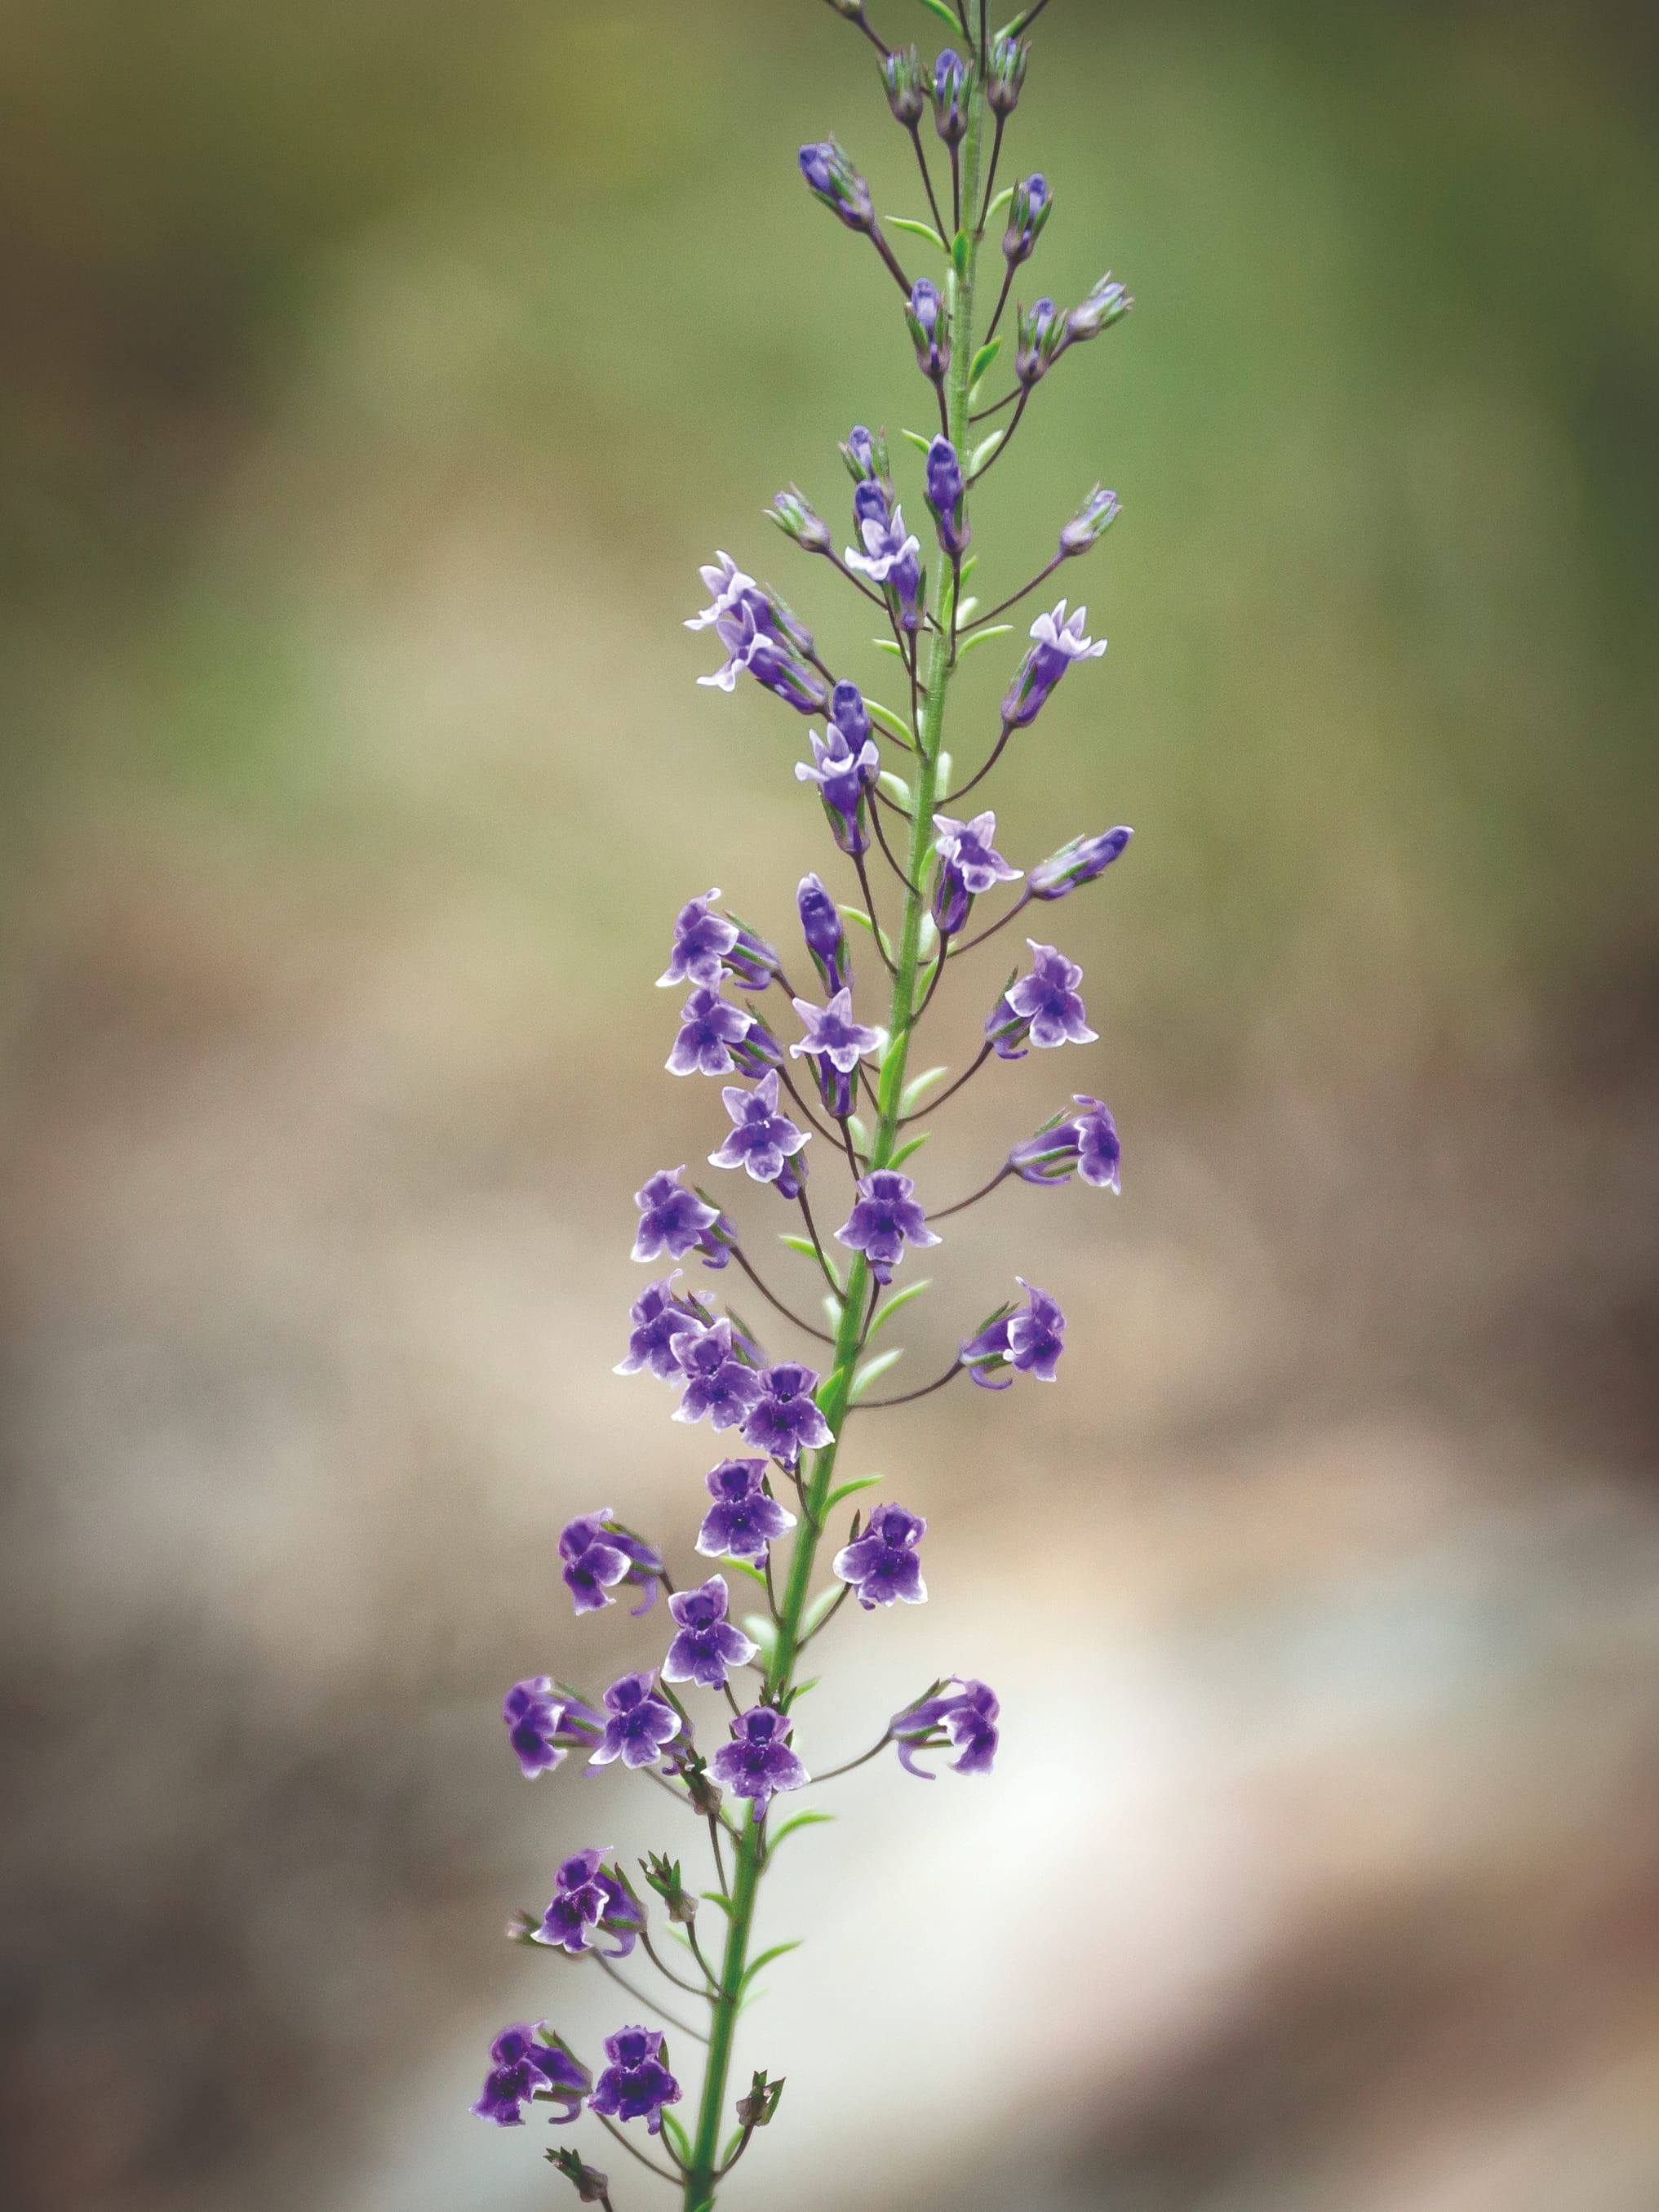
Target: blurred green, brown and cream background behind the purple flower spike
<point>375,382</point>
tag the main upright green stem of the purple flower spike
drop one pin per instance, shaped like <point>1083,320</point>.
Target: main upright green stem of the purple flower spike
<point>855,1317</point>
